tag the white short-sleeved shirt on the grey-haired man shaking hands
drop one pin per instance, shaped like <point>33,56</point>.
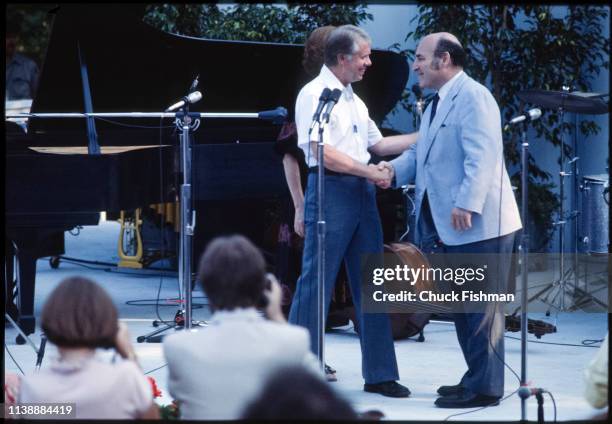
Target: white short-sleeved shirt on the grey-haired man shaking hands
<point>350,129</point>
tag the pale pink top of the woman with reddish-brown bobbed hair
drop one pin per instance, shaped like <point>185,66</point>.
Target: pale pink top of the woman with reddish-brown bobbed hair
<point>99,390</point>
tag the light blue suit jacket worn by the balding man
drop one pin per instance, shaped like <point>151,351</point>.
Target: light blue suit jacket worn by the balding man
<point>459,161</point>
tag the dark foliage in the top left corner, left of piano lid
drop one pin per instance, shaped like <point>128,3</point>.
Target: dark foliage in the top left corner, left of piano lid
<point>34,22</point>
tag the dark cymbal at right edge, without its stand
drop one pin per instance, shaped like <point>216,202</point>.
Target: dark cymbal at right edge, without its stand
<point>572,102</point>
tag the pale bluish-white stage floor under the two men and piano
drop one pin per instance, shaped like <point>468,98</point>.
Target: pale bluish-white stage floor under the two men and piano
<point>555,362</point>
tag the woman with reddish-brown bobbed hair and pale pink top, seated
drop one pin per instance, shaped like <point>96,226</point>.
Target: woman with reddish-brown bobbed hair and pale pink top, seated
<point>79,317</point>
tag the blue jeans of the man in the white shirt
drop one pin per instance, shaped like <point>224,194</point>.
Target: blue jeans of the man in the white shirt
<point>352,229</point>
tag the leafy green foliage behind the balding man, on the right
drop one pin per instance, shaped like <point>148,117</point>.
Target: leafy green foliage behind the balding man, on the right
<point>515,47</point>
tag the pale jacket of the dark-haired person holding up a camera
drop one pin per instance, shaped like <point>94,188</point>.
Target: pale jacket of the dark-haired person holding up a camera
<point>217,371</point>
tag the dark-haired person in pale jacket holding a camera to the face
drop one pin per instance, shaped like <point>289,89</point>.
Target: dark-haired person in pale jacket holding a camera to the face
<point>215,372</point>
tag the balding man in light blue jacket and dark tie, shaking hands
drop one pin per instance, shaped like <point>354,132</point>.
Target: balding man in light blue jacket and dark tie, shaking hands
<point>464,203</point>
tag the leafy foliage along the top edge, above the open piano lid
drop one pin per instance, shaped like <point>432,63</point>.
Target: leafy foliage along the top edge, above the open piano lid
<point>252,22</point>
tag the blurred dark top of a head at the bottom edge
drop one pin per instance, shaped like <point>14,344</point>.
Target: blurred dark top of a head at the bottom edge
<point>296,394</point>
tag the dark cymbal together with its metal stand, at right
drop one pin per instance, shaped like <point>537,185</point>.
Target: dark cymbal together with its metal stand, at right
<point>577,102</point>
